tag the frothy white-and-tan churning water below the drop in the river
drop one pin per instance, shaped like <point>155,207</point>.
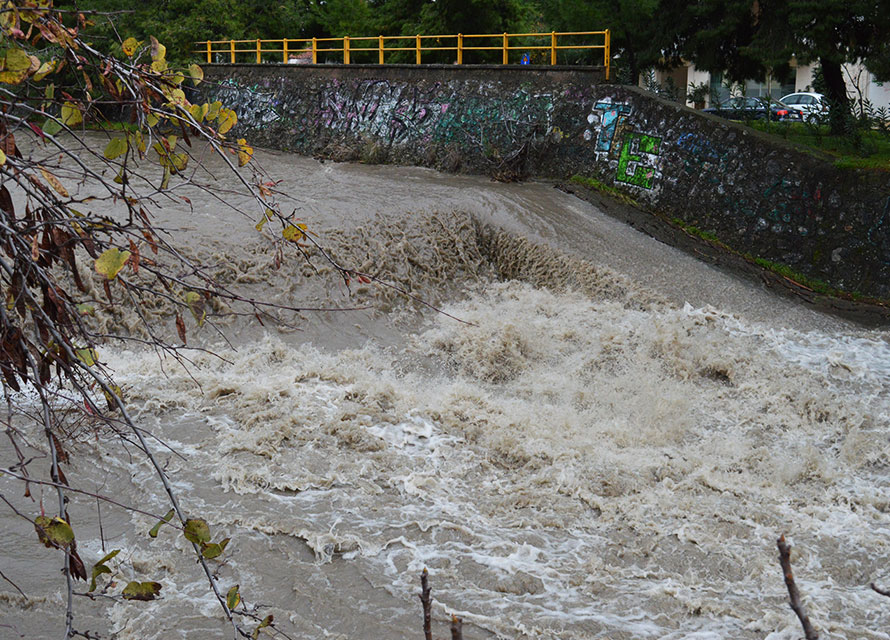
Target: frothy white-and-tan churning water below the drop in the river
<point>563,466</point>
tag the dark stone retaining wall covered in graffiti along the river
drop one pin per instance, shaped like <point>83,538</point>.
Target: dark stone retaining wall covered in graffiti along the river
<point>755,193</point>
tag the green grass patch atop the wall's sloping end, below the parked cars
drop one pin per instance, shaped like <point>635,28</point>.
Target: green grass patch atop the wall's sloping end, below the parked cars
<point>864,149</point>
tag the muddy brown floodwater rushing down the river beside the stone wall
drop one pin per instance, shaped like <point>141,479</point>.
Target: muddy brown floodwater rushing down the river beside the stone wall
<point>605,444</point>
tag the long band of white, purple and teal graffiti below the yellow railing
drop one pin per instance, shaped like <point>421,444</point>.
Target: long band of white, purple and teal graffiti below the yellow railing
<point>396,114</point>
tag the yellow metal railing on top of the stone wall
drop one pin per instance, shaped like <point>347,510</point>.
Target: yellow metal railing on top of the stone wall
<point>308,49</point>
